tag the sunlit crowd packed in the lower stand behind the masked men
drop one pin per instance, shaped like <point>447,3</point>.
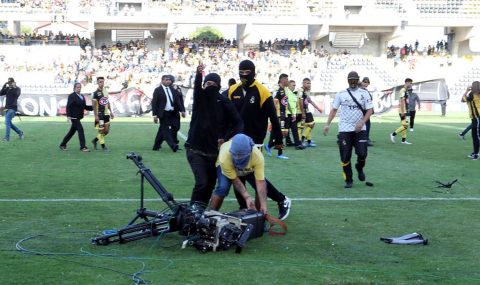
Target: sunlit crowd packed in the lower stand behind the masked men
<point>133,64</point>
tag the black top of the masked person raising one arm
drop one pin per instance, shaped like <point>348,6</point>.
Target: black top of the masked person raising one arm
<point>213,118</point>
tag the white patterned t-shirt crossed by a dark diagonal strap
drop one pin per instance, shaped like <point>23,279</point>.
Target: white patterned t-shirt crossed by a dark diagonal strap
<point>350,113</point>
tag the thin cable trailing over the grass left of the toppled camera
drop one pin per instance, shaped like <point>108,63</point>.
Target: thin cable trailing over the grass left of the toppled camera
<point>135,276</point>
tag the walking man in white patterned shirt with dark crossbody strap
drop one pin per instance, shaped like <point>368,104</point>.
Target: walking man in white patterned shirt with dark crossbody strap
<point>356,108</point>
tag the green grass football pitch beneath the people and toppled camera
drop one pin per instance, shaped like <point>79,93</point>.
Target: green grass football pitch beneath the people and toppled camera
<point>333,235</point>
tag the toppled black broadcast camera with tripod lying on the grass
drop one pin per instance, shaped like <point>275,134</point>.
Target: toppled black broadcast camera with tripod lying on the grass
<point>206,230</point>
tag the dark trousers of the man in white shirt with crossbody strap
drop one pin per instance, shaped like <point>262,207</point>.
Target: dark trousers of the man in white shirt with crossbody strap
<point>346,142</point>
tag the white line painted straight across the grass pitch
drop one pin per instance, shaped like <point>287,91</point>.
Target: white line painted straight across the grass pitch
<point>60,200</point>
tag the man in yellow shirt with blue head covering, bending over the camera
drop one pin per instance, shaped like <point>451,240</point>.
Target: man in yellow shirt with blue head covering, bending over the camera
<point>238,161</point>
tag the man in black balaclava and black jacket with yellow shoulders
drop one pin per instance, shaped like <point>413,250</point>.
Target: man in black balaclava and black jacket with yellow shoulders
<point>255,105</point>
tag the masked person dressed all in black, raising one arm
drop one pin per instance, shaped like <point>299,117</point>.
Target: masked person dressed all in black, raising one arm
<point>214,120</point>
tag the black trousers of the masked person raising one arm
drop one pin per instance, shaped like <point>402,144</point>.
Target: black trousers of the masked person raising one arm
<point>205,174</point>
